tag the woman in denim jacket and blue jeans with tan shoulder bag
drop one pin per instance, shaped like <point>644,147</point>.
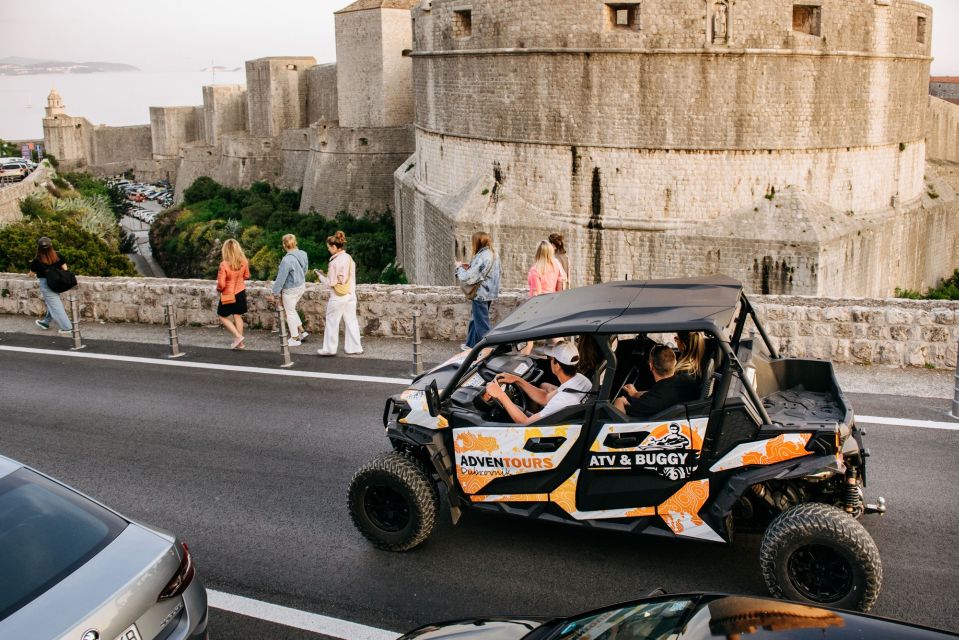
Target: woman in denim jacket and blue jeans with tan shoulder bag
<point>479,280</point>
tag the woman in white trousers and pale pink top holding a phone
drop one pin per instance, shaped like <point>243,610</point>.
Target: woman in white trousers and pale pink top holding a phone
<point>342,303</point>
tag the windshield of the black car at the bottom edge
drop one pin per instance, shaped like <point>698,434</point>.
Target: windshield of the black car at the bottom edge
<point>655,620</point>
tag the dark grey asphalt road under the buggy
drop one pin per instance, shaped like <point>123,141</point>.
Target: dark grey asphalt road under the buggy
<point>252,471</point>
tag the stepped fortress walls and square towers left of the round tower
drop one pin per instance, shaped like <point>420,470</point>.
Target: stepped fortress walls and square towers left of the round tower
<point>283,126</point>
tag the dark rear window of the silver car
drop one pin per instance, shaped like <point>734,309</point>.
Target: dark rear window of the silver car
<point>46,533</point>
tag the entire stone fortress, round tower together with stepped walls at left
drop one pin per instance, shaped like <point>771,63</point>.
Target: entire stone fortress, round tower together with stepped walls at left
<point>781,142</point>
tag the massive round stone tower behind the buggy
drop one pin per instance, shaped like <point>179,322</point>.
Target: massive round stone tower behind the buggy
<point>664,137</point>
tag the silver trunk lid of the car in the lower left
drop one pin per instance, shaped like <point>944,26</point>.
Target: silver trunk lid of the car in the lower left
<point>108,593</point>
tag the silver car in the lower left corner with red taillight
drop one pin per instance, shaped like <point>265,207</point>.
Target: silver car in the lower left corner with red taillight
<point>73,568</point>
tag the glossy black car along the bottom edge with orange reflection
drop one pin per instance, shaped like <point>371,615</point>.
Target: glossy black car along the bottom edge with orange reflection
<point>696,616</point>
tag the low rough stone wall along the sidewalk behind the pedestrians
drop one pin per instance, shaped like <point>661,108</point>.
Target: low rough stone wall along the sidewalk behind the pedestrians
<point>894,332</point>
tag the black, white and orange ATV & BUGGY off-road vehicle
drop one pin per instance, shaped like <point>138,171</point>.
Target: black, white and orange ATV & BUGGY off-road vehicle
<point>770,445</point>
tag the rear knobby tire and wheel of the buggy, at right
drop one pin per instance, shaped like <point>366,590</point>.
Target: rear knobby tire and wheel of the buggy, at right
<point>820,554</point>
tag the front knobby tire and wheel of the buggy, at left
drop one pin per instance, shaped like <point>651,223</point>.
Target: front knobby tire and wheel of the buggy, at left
<point>393,502</point>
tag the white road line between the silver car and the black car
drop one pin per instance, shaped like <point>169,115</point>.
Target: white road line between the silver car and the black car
<point>333,627</point>
